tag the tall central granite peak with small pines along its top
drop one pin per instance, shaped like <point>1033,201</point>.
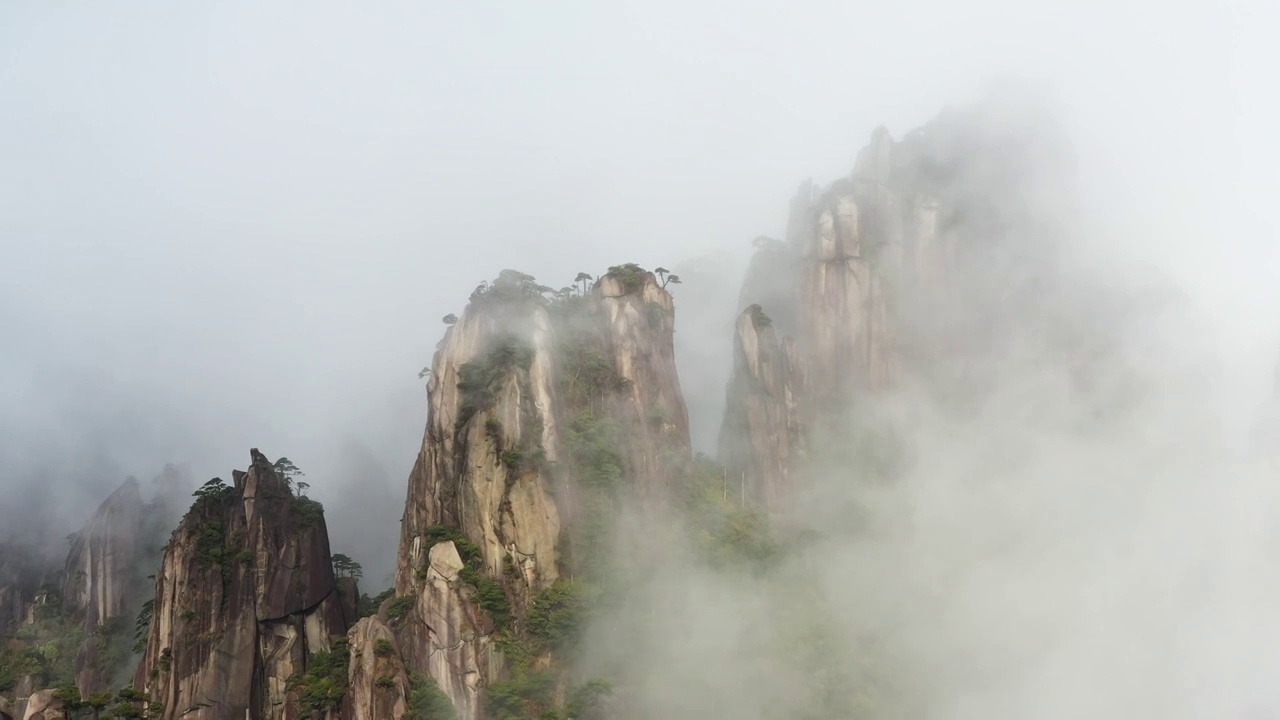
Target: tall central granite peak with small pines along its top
<point>541,413</point>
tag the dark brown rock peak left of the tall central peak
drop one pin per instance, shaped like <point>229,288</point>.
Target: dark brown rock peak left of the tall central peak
<point>246,594</point>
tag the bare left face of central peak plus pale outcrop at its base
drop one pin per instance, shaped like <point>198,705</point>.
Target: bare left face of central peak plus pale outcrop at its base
<point>492,416</point>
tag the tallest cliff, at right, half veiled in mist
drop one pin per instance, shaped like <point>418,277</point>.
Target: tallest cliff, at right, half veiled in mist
<point>918,263</point>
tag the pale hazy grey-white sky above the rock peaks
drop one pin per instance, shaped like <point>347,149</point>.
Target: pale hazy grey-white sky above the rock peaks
<point>234,225</point>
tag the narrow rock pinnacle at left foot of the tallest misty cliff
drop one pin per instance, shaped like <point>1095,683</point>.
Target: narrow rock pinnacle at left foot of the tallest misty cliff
<point>761,440</point>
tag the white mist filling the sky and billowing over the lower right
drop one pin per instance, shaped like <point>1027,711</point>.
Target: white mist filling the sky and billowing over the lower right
<point>240,226</point>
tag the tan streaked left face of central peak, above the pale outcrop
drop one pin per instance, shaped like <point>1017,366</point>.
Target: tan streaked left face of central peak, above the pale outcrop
<point>461,479</point>
